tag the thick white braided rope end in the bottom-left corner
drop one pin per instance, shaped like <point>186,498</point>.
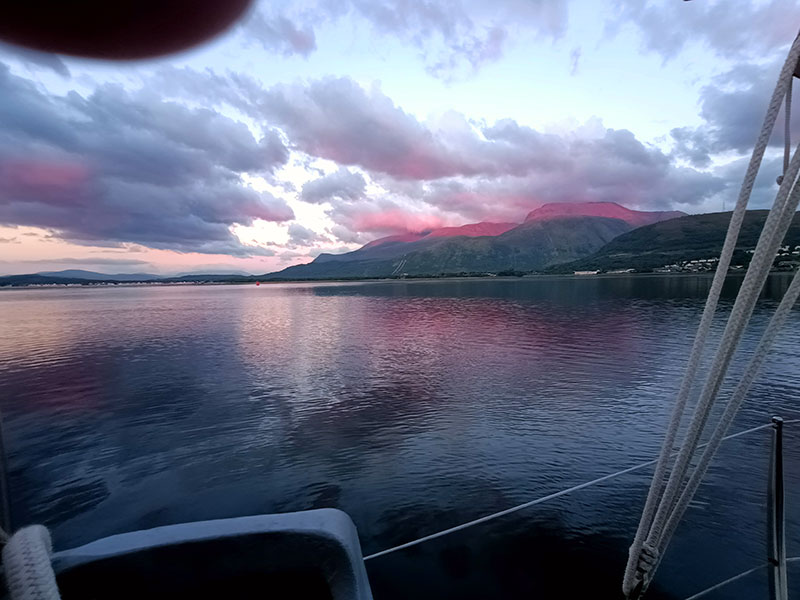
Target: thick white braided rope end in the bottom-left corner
<point>26,562</point>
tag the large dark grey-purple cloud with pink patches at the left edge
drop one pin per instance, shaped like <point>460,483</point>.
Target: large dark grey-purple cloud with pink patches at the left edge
<point>119,166</point>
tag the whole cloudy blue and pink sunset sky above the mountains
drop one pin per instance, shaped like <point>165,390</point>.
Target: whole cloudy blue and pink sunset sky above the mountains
<point>319,125</point>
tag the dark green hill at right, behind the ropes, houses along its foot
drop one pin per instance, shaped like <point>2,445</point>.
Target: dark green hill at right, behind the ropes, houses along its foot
<point>687,238</point>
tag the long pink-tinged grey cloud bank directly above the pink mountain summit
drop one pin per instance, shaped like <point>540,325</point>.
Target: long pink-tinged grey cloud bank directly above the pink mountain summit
<point>457,170</point>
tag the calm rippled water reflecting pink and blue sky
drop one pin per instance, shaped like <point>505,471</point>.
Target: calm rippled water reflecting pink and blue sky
<point>412,405</point>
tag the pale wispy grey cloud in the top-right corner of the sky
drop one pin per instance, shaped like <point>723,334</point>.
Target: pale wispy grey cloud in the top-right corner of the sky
<point>668,27</point>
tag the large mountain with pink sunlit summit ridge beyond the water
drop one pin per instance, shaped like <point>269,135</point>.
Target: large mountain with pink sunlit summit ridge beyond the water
<point>551,234</point>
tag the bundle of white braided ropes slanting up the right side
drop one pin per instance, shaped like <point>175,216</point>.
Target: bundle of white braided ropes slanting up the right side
<point>674,484</point>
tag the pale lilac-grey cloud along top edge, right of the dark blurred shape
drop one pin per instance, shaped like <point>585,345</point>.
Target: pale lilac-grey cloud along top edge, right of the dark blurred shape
<point>451,37</point>
